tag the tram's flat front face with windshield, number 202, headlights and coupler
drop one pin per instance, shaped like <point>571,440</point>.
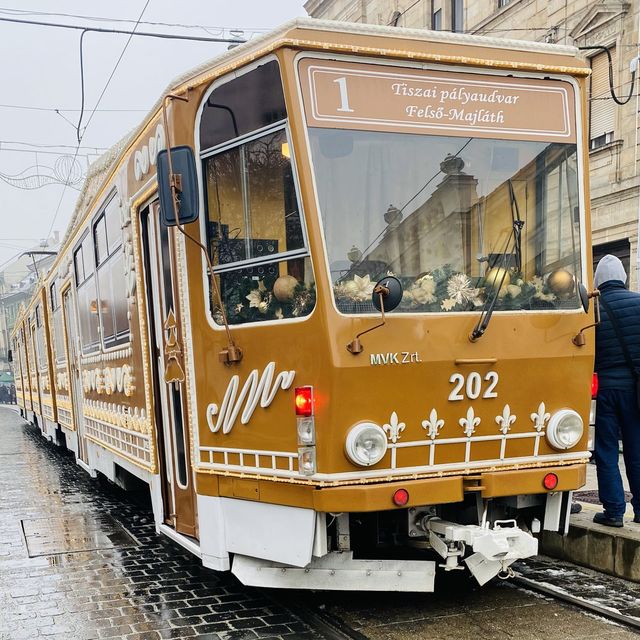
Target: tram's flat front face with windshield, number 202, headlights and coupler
<point>457,200</point>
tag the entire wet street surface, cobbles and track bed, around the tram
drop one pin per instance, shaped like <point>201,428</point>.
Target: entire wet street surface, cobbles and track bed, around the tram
<point>79,558</point>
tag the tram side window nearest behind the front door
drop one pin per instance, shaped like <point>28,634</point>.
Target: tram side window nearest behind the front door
<point>114,322</point>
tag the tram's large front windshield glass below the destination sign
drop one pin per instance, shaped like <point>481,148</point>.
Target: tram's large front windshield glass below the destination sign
<point>439,212</point>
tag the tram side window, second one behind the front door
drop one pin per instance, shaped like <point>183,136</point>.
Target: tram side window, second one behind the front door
<point>87,295</point>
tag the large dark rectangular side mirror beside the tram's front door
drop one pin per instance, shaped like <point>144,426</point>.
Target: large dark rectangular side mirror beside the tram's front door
<point>183,177</point>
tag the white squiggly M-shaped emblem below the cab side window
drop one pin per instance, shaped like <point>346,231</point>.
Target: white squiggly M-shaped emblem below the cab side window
<point>262,388</point>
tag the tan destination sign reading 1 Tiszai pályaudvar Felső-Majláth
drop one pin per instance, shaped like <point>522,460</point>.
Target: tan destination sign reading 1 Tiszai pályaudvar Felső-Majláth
<point>346,95</point>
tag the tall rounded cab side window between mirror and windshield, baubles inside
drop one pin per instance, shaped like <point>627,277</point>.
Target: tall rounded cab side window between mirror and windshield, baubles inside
<point>254,227</point>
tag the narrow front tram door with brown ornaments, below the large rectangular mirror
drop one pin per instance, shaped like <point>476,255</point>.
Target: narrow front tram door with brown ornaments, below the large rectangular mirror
<point>165,339</point>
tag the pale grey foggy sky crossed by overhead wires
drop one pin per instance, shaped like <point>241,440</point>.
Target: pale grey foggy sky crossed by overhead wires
<point>40,68</point>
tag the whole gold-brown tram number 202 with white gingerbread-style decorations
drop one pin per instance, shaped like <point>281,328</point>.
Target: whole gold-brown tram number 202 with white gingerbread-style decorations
<point>338,329</point>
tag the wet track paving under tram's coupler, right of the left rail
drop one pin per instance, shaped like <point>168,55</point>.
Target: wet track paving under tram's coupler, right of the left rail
<point>460,610</point>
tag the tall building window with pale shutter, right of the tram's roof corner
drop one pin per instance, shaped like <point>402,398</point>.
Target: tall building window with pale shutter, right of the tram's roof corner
<point>601,105</point>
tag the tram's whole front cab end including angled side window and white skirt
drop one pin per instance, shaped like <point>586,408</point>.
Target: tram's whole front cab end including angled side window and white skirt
<point>400,254</point>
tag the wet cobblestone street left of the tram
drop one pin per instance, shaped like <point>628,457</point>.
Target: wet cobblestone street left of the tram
<point>124,581</point>
